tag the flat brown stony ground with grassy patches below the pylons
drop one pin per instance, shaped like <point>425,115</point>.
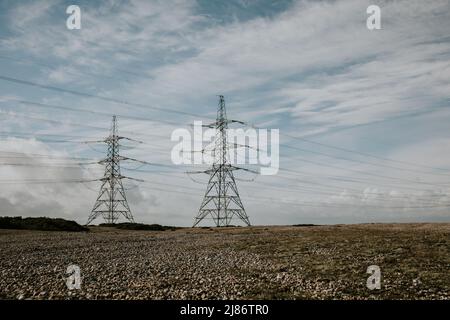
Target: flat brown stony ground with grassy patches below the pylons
<point>320,262</point>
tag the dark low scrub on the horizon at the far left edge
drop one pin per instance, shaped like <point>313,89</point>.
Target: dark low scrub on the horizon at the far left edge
<point>41,223</point>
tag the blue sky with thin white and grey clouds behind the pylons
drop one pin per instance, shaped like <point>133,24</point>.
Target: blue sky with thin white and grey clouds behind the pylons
<point>363,114</point>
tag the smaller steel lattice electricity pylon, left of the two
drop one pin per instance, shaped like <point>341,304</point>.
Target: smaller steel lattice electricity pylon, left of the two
<point>112,201</point>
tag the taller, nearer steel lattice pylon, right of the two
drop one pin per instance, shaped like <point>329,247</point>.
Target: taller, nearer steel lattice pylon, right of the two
<point>222,201</point>
